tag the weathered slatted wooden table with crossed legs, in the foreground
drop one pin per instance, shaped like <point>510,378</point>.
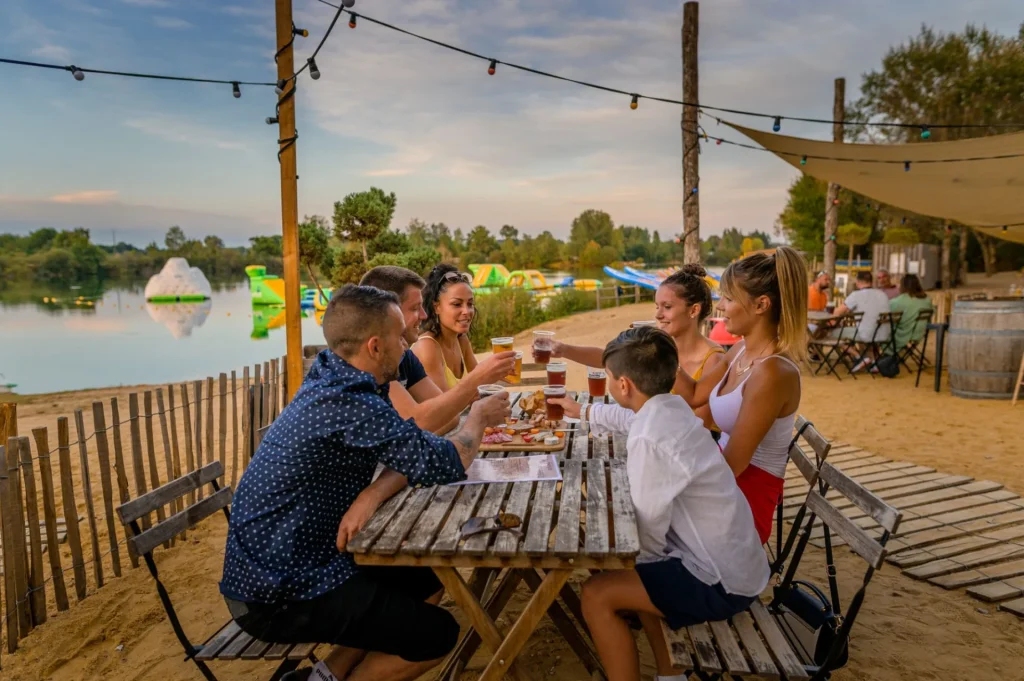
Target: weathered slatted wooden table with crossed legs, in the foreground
<point>585,522</point>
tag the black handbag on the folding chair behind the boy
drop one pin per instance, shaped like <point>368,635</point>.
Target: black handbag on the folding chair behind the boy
<point>810,623</point>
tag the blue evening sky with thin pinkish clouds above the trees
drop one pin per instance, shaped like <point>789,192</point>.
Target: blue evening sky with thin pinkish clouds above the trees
<point>129,158</point>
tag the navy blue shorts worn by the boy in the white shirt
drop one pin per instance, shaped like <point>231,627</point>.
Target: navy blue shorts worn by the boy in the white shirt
<point>685,600</point>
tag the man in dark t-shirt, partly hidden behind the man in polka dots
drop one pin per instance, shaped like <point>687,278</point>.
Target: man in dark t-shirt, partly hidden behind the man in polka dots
<point>415,395</point>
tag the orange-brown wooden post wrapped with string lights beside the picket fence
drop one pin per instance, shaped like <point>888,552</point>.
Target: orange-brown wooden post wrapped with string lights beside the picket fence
<point>289,197</point>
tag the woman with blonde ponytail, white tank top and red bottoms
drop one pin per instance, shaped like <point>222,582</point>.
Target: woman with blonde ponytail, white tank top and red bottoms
<point>755,395</point>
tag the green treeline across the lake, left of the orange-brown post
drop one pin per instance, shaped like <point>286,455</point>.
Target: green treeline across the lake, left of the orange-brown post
<point>65,258</point>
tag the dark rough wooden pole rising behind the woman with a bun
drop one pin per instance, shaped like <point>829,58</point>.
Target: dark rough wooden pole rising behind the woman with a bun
<point>692,173</point>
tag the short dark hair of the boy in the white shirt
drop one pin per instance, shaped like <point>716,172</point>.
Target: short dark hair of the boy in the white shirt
<point>646,356</point>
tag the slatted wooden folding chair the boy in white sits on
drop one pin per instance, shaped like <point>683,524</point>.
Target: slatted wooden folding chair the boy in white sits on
<point>754,644</point>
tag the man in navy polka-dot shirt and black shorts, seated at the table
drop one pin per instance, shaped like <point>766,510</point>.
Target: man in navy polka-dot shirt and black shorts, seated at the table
<point>310,489</point>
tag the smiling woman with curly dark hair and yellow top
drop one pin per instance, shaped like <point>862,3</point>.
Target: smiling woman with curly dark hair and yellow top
<point>444,347</point>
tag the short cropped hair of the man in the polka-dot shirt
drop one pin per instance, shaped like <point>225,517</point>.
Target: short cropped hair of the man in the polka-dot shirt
<point>355,315</point>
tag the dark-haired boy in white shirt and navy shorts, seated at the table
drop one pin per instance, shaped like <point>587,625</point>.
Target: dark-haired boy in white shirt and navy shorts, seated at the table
<point>701,560</point>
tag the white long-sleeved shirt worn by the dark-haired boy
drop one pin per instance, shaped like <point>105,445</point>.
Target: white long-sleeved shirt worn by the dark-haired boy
<point>688,503</point>
